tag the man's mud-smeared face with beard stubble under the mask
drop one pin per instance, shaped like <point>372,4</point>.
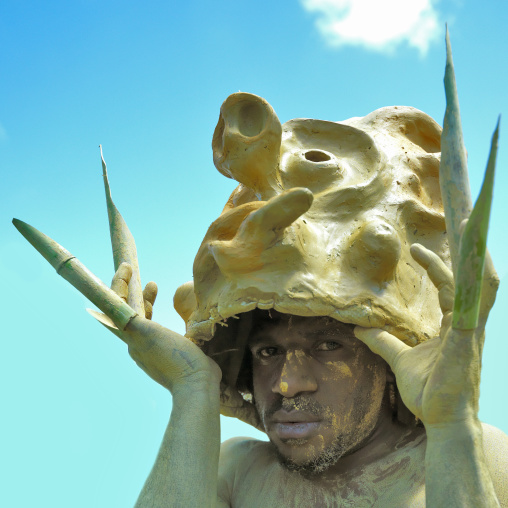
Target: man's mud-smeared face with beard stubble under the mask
<point>317,389</point>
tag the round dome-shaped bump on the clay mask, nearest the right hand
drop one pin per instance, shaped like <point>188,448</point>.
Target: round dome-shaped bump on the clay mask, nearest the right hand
<point>375,251</point>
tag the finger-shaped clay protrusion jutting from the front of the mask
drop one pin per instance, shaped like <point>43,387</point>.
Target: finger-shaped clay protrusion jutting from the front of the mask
<point>259,231</point>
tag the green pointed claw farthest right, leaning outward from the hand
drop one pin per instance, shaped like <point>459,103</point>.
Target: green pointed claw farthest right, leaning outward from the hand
<point>469,278</point>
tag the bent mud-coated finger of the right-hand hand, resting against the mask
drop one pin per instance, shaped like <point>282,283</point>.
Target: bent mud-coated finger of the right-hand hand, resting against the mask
<point>440,275</point>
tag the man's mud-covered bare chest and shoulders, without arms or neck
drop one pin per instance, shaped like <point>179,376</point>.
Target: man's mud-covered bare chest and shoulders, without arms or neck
<point>250,475</point>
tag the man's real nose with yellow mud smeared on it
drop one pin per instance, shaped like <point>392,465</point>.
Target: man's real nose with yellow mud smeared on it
<point>296,375</point>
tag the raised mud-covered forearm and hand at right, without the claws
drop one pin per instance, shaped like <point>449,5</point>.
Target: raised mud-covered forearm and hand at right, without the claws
<point>439,382</point>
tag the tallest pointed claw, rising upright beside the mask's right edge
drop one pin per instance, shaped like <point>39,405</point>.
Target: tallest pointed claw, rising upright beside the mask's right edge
<point>453,177</point>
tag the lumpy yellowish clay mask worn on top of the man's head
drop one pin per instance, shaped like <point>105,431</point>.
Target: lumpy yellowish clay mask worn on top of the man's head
<point>322,221</point>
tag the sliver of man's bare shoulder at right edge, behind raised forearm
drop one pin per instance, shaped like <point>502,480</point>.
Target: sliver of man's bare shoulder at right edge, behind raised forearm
<point>495,447</point>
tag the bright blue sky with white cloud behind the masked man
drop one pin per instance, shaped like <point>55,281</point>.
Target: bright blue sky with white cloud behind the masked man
<point>81,423</point>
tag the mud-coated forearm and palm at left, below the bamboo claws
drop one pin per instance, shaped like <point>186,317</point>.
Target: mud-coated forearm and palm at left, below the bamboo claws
<point>185,471</point>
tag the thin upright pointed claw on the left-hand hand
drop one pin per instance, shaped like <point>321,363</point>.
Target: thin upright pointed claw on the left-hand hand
<point>124,247</point>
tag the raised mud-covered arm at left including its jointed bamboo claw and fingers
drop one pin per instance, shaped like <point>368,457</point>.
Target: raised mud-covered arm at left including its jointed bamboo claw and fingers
<point>185,472</point>
